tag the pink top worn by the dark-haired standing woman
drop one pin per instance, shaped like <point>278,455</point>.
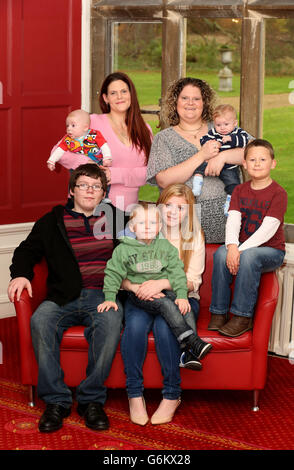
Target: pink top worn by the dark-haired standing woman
<point>128,170</point>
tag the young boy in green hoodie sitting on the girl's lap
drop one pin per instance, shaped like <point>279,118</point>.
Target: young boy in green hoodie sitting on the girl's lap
<point>150,256</point>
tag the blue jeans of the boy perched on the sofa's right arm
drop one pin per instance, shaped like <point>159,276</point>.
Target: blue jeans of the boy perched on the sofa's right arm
<point>253,262</point>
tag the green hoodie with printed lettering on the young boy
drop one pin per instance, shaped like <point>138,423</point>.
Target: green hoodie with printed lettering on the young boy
<point>139,262</point>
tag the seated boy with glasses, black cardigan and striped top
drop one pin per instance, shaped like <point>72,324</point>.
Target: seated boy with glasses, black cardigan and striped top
<point>76,242</point>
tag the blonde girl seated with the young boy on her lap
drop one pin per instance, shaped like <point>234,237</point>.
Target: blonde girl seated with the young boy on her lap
<point>182,228</point>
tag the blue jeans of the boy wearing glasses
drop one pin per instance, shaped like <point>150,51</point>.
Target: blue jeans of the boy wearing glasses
<point>102,332</point>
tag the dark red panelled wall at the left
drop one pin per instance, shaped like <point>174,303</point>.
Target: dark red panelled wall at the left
<point>40,71</point>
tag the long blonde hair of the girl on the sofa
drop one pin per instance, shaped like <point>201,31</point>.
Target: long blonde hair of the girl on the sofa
<point>190,227</point>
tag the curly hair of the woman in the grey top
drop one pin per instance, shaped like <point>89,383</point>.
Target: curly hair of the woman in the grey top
<point>169,105</point>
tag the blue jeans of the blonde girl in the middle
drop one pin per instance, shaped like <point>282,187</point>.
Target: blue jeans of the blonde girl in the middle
<point>138,323</point>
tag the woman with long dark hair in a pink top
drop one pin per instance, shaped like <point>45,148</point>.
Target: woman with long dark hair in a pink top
<point>127,135</point>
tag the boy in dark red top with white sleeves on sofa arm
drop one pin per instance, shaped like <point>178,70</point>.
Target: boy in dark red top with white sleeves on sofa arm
<point>254,243</point>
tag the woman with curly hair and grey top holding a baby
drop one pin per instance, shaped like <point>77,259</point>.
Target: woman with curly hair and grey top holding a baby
<point>176,151</point>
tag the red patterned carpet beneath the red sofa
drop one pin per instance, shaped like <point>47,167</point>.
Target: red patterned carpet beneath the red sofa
<point>206,420</point>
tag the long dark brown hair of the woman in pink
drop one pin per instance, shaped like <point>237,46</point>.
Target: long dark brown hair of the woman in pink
<point>138,131</point>
